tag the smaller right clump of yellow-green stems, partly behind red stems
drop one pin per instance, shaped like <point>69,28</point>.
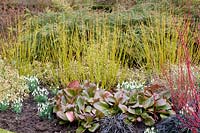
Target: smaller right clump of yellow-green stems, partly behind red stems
<point>160,41</point>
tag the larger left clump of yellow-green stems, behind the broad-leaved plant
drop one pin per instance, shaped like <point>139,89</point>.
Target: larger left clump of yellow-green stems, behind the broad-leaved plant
<point>82,52</point>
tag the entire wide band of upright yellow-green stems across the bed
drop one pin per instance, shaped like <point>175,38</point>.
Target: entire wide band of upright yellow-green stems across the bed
<point>100,48</point>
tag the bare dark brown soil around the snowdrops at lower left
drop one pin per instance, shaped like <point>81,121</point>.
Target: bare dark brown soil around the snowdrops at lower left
<point>29,122</point>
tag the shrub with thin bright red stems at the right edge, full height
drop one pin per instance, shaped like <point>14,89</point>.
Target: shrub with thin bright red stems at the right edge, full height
<point>185,91</point>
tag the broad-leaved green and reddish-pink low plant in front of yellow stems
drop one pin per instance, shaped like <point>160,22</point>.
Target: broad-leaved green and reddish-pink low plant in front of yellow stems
<point>88,104</point>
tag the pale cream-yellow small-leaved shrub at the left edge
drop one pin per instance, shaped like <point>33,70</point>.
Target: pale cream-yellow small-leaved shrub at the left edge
<point>12,85</point>
